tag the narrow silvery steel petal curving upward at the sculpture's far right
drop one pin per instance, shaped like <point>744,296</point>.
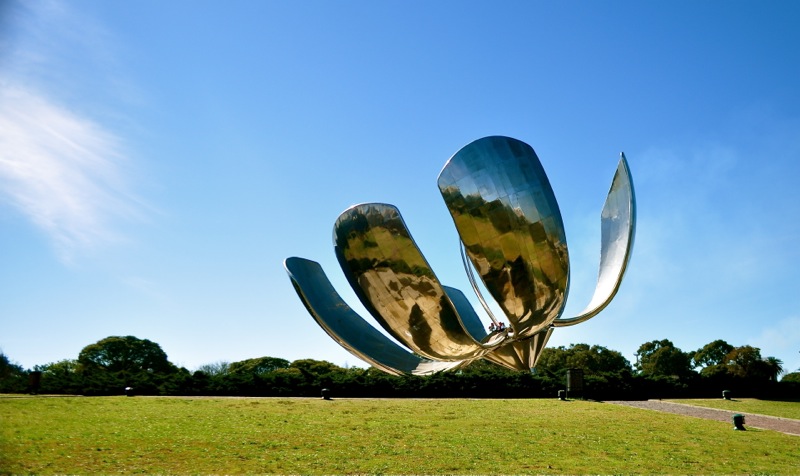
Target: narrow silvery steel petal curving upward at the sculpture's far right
<point>618,224</point>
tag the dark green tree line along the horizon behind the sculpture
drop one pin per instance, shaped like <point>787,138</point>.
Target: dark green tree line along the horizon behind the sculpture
<point>116,363</point>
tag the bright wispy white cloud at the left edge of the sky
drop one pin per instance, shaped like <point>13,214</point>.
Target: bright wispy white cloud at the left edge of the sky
<point>62,171</point>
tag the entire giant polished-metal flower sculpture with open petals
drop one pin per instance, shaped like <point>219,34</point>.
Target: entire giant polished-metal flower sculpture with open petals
<point>511,234</point>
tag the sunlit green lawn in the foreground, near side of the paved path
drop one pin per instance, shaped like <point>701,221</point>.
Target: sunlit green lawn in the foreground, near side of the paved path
<point>46,435</point>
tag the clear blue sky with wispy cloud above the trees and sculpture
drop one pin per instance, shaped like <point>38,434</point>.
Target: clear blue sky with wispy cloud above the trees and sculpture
<point>160,160</point>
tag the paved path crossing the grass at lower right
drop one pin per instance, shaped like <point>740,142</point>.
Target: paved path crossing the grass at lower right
<point>784,425</point>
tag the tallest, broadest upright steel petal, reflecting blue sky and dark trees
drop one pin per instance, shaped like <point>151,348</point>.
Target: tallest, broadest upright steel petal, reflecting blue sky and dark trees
<point>508,219</point>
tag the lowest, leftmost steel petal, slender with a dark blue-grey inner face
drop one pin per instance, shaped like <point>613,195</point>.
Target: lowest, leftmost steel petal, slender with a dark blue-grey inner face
<point>349,329</point>
